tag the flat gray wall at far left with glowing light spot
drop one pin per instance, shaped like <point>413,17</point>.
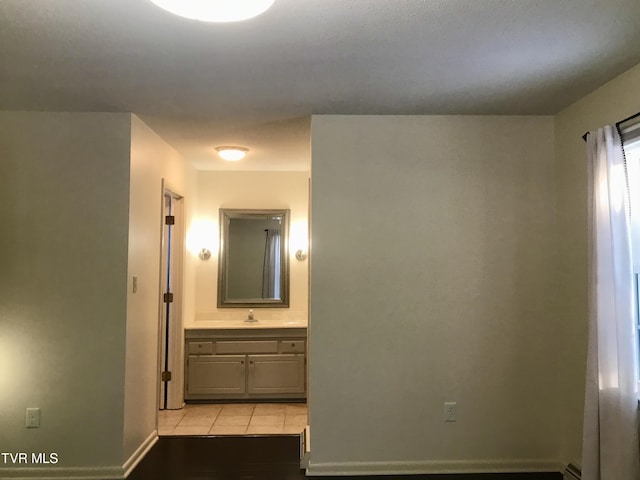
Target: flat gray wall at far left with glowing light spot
<point>63,248</point>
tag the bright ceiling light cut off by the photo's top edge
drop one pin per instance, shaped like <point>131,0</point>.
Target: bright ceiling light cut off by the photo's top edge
<point>215,10</point>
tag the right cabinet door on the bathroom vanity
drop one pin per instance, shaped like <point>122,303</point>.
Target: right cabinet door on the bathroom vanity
<point>276,374</point>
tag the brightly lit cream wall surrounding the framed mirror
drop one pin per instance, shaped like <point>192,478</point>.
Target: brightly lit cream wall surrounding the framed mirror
<point>249,190</point>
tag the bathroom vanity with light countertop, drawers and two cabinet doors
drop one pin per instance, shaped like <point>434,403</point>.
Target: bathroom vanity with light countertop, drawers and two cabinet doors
<point>246,361</point>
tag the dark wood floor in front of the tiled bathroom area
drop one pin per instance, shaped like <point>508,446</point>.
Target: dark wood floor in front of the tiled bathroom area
<point>257,458</point>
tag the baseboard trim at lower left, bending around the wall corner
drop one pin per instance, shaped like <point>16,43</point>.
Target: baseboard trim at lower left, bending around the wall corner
<point>83,473</point>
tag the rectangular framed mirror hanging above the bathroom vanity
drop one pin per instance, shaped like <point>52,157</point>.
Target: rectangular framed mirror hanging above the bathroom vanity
<point>253,267</point>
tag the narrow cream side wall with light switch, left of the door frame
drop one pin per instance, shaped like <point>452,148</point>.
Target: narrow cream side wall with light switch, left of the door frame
<point>152,160</point>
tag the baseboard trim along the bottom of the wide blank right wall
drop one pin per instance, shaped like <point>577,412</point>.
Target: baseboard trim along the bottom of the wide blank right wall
<point>433,467</point>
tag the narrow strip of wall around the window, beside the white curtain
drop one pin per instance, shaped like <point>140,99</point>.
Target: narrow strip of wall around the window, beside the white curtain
<point>609,104</point>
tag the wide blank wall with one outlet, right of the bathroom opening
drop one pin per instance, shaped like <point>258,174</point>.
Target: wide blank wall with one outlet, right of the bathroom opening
<point>433,280</point>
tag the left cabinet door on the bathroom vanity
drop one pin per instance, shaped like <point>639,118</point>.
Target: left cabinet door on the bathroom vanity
<point>216,374</point>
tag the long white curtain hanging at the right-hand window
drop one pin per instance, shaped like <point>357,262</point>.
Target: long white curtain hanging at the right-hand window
<point>610,434</point>
